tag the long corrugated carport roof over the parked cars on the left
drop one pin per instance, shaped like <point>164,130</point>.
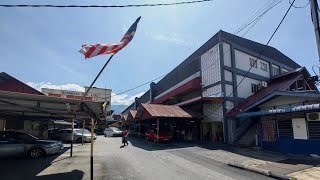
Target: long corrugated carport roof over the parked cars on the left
<point>44,107</point>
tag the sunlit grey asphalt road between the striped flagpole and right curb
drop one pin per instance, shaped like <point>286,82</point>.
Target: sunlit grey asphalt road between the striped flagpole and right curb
<point>147,160</point>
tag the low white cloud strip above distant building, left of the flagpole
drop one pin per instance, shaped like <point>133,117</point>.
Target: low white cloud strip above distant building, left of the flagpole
<point>70,87</point>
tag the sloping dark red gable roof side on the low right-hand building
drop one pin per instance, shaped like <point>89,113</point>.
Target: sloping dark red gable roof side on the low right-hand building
<point>281,83</point>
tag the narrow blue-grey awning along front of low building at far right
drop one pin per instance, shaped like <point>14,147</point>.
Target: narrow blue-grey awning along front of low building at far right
<point>310,107</point>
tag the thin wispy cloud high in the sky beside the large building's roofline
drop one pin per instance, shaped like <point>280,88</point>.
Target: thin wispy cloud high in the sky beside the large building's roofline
<point>175,38</point>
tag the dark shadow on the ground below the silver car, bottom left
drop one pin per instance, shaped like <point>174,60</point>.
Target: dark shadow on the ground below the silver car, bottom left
<point>26,168</point>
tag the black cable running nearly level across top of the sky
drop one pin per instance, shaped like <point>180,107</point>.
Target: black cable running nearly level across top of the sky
<point>101,6</point>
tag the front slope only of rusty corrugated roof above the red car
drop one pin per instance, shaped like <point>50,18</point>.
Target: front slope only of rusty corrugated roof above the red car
<point>158,110</point>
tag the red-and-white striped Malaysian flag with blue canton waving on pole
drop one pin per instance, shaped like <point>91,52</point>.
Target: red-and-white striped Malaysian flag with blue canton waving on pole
<point>90,51</point>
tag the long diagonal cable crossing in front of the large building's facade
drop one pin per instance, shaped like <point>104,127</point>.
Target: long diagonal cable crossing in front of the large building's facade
<point>265,46</point>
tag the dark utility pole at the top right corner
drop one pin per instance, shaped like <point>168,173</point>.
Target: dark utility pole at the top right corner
<point>315,20</point>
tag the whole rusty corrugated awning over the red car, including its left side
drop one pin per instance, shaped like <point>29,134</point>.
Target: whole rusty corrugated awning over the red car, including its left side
<point>153,111</point>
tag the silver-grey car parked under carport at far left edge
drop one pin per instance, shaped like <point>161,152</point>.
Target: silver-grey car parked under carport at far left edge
<point>21,144</point>
